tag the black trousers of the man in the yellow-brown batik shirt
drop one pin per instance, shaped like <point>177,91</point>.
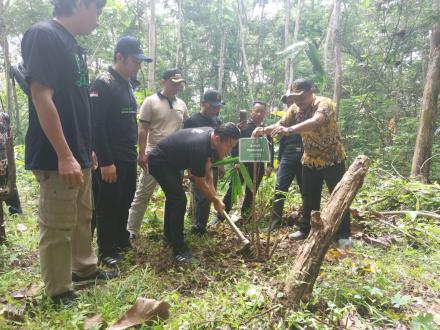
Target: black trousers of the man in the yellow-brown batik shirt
<point>313,180</point>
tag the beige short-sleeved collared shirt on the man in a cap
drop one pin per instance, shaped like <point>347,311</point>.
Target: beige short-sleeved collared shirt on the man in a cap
<point>163,116</point>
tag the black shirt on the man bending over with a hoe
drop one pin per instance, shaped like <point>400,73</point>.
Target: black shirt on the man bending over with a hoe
<point>186,149</point>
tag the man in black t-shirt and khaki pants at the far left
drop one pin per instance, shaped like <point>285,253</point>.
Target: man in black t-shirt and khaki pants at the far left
<point>59,144</point>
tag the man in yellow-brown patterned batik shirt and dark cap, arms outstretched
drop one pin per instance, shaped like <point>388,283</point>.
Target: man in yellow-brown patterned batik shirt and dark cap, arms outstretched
<point>324,155</point>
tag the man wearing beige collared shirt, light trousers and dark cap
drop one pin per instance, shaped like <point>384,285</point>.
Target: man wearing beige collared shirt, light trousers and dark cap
<point>161,115</point>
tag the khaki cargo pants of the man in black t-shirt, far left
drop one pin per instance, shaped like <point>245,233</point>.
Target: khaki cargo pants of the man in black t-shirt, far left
<point>65,246</point>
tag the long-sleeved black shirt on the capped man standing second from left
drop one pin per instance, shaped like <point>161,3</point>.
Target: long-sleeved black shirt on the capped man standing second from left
<point>114,112</point>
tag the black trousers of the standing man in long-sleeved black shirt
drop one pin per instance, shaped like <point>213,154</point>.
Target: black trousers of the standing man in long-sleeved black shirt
<point>113,203</point>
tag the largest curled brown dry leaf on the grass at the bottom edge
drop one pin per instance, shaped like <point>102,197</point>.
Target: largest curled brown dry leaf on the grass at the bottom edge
<point>142,311</point>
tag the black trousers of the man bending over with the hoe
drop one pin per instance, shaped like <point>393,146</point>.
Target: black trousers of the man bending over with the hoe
<point>170,180</point>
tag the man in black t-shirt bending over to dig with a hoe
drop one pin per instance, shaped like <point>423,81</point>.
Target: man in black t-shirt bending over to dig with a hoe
<point>189,149</point>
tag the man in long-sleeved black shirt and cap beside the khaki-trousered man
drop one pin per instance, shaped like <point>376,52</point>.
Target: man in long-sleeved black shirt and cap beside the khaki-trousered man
<point>114,112</point>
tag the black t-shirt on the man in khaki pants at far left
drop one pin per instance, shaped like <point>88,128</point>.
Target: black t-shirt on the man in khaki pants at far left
<point>52,57</point>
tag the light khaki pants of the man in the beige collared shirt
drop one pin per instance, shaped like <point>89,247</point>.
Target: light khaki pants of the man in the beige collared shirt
<point>144,191</point>
